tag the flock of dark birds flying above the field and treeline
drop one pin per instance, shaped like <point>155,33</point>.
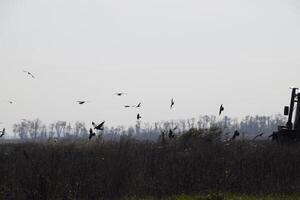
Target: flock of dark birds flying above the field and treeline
<point>100,127</point>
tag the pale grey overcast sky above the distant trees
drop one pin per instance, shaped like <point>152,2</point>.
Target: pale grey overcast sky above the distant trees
<point>244,54</point>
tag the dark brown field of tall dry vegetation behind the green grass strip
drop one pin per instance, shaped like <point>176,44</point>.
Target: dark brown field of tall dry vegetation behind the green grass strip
<point>196,163</point>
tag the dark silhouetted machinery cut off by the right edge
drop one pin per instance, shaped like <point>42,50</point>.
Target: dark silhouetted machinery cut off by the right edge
<point>290,133</point>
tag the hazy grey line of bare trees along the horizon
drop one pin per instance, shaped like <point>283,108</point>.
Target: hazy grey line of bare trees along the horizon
<point>248,126</point>
